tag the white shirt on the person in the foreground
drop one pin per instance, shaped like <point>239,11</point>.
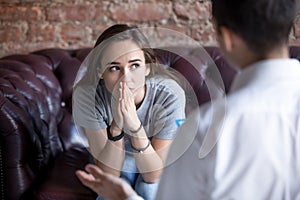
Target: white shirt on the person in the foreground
<point>252,145</point>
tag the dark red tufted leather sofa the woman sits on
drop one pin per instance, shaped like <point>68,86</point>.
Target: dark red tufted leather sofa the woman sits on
<point>40,148</point>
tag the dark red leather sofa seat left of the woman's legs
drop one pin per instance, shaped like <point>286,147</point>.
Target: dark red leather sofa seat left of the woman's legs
<point>61,182</point>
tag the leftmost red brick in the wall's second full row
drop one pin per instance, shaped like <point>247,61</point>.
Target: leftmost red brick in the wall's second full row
<point>11,33</point>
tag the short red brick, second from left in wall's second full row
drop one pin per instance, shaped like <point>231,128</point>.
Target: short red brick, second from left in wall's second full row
<point>41,33</point>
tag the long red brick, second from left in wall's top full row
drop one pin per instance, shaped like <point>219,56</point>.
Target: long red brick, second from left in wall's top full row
<point>75,13</point>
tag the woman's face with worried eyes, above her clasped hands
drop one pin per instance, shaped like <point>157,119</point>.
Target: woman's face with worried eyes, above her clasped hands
<point>124,61</point>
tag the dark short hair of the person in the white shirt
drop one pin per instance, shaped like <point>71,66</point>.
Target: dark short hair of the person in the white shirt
<point>262,24</point>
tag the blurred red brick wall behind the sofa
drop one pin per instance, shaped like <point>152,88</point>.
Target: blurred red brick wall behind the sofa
<point>28,25</point>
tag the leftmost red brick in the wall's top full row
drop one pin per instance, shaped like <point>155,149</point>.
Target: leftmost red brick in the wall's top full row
<point>20,13</point>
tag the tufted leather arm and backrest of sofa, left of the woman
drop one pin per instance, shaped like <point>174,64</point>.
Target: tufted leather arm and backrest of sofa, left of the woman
<point>35,113</point>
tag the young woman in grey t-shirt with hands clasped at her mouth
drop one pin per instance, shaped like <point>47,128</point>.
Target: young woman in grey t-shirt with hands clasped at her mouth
<point>127,105</point>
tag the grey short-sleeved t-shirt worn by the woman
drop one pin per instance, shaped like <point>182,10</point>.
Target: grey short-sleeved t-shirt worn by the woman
<point>163,105</point>
